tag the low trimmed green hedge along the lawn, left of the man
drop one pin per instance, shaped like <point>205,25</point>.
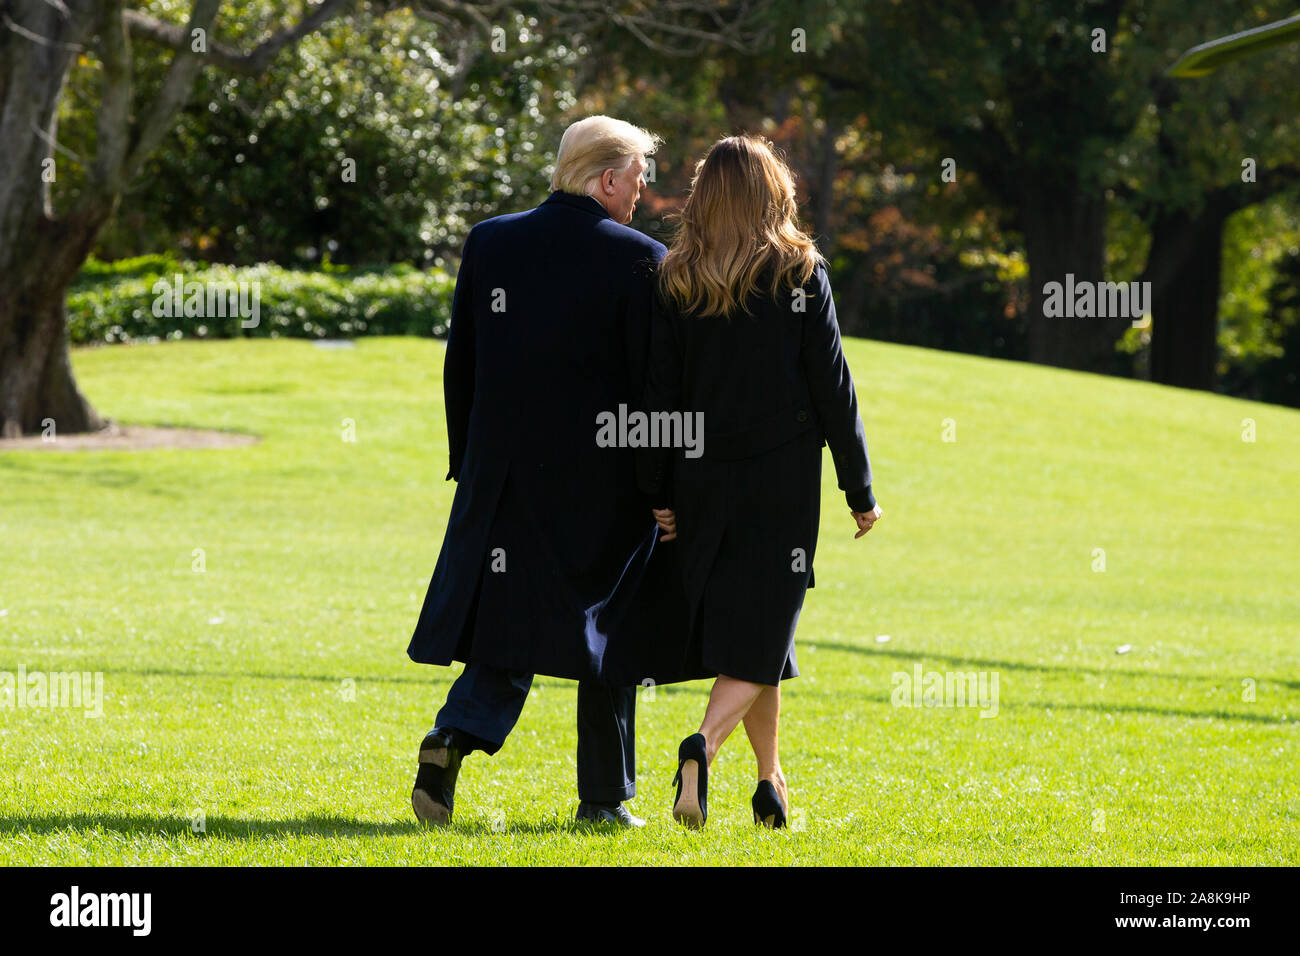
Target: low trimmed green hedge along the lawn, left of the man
<point>115,302</point>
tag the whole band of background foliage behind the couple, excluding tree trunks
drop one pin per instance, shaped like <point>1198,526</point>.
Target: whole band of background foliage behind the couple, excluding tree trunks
<point>1012,90</point>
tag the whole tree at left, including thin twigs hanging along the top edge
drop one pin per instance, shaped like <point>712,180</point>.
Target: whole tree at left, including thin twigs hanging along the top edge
<point>46,240</point>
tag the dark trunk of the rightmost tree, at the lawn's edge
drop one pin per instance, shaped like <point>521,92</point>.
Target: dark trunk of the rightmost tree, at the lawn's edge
<point>1186,257</point>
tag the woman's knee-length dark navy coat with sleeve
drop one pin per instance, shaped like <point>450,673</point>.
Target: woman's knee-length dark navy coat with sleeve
<point>774,390</point>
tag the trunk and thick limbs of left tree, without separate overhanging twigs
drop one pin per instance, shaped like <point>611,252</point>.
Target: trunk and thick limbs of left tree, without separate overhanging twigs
<point>42,248</point>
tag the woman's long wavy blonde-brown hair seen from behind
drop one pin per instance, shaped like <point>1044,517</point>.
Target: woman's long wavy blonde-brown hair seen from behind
<point>740,220</point>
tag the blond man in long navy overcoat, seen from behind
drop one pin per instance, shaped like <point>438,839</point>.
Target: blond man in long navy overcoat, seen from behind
<point>548,530</point>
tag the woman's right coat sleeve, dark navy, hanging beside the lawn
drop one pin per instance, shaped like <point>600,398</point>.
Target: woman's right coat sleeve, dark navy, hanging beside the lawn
<point>834,396</point>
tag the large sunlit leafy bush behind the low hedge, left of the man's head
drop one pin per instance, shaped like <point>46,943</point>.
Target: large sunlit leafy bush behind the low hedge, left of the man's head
<point>366,142</point>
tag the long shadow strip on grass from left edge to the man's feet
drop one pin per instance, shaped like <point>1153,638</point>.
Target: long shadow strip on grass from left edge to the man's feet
<point>310,825</point>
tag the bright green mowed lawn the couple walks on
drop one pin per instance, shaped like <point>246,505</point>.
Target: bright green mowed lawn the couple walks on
<point>271,693</point>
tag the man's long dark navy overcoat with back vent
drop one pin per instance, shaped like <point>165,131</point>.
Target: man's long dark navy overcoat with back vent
<point>549,537</point>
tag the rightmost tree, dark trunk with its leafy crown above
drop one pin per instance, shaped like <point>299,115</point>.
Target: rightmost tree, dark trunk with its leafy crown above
<point>1208,149</point>
